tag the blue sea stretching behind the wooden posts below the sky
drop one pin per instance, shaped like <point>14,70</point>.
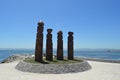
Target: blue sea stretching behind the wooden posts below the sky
<point>85,53</point>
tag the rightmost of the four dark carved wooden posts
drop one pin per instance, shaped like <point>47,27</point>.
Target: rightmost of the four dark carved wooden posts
<point>70,46</point>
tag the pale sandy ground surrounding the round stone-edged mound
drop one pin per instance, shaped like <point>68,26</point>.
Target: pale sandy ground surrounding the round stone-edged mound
<point>99,71</point>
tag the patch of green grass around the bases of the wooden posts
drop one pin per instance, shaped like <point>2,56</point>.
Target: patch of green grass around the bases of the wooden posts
<point>55,61</point>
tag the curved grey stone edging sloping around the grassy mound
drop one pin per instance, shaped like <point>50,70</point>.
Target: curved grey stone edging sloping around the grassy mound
<point>53,68</point>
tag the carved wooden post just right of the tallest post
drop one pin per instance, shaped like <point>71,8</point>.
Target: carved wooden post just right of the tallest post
<point>49,46</point>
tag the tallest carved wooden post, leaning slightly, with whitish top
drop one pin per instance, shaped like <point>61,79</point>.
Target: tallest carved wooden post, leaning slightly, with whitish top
<point>39,42</point>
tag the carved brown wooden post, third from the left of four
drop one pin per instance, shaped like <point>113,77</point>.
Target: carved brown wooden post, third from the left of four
<point>60,46</point>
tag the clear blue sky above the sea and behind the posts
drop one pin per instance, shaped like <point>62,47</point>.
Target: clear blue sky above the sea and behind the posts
<point>95,23</point>
